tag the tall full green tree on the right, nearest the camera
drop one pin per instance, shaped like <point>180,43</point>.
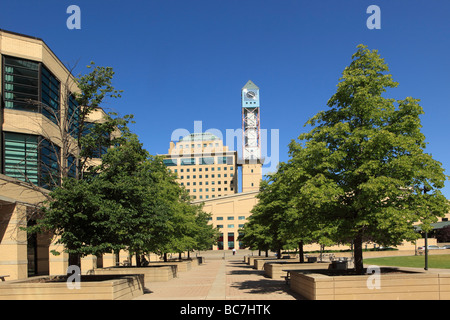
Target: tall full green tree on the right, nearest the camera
<point>365,163</point>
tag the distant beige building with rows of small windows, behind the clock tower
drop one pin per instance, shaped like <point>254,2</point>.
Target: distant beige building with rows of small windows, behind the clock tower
<point>209,171</point>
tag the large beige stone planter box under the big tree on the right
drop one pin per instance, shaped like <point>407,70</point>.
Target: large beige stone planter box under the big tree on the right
<point>403,285</point>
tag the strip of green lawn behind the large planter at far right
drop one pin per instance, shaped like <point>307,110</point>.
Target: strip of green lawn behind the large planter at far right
<point>434,261</point>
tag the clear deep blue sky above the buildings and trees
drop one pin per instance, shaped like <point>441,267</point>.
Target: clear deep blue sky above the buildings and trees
<point>180,61</point>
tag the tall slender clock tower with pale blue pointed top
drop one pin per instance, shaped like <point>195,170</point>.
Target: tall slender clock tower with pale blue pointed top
<point>251,139</point>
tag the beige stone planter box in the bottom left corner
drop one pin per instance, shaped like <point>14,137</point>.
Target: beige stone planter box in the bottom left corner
<point>92,287</point>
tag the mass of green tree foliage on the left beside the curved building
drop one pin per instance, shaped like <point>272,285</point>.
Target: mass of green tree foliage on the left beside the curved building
<point>130,201</point>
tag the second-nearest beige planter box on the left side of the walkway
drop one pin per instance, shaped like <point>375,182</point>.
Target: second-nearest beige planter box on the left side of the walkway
<point>151,273</point>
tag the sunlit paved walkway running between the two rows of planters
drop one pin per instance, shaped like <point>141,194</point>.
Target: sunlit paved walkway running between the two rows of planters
<point>220,279</point>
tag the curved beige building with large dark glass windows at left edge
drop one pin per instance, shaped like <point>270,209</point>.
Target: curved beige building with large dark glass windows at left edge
<point>37,103</point>
